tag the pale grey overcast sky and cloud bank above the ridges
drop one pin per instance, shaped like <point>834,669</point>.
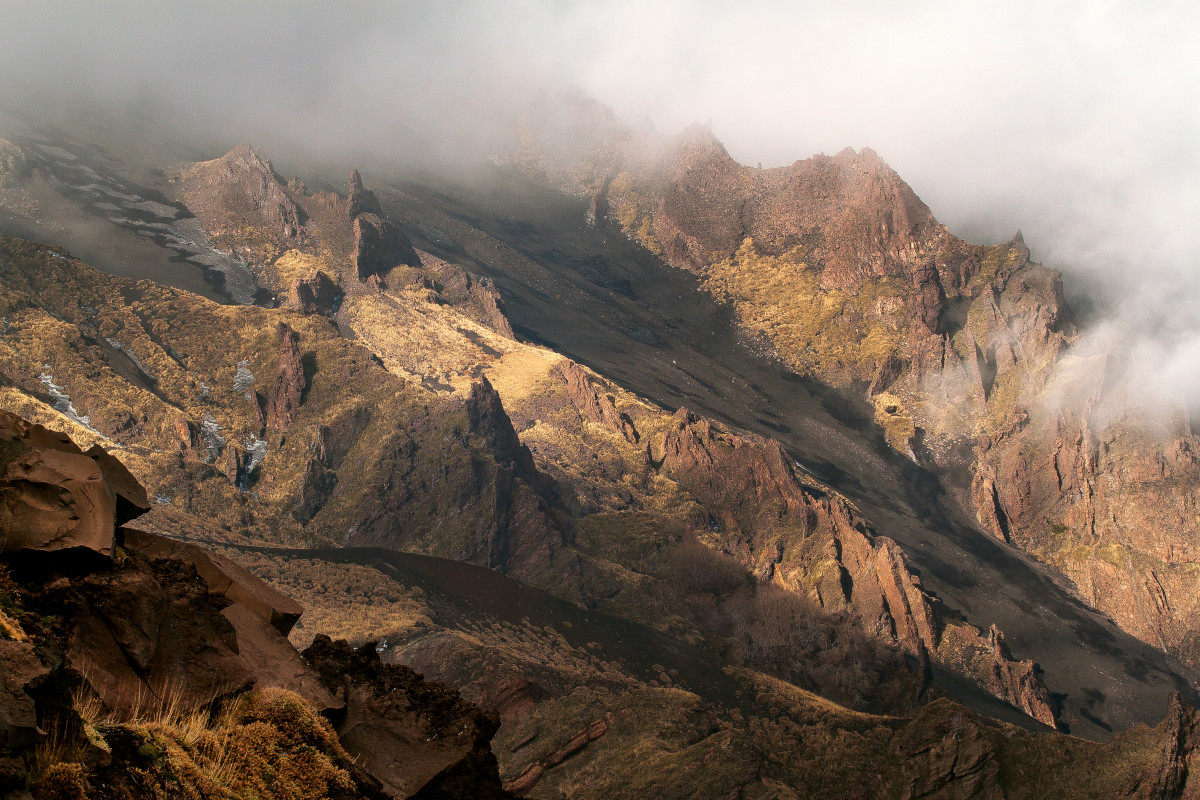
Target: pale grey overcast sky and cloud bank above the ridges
<point>1076,122</point>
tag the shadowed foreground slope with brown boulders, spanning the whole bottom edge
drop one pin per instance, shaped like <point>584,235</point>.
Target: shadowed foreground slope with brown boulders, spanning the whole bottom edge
<point>149,667</point>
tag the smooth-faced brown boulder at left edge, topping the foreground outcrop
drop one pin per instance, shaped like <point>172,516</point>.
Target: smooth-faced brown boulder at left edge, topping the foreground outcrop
<point>56,497</point>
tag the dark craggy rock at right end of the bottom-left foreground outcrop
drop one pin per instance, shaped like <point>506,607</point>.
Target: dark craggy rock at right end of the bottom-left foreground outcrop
<point>417,738</point>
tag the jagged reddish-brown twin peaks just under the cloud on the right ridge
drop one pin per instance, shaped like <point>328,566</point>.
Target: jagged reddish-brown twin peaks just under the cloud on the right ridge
<point>853,213</point>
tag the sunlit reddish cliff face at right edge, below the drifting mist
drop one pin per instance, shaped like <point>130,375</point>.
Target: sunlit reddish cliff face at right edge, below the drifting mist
<point>1109,503</point>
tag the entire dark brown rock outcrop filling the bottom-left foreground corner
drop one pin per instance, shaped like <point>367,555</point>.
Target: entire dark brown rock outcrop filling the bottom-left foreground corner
<point>171,625</point>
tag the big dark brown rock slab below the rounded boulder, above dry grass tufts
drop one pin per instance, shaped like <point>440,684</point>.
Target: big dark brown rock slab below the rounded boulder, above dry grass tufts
<point>175,618</point>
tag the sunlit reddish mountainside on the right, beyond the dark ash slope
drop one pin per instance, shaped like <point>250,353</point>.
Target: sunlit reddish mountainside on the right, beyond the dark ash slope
<point>964,351</point>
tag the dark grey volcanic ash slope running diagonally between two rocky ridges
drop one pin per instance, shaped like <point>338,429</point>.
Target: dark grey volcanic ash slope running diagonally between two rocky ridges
<point>599,299</point>
